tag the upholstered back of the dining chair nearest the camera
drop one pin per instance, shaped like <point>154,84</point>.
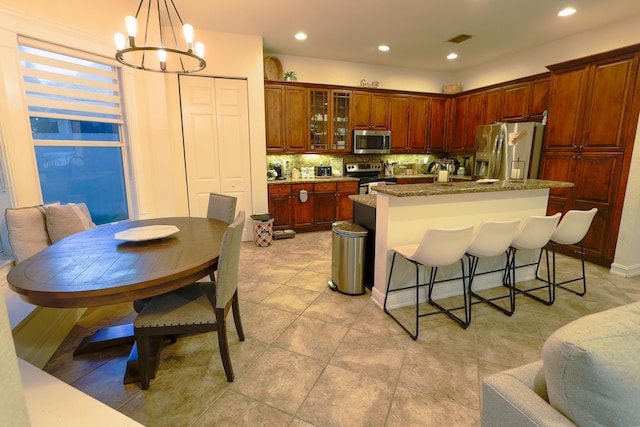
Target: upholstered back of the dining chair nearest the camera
<point>228,261</point>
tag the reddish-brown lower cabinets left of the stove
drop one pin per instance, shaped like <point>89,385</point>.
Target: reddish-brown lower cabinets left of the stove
<point>311,206</point>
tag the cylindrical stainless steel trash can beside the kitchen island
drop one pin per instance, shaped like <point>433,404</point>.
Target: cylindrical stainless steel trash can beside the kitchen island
<point>347,258</point>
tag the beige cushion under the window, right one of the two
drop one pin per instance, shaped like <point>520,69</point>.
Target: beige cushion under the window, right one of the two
<point>65,220</point>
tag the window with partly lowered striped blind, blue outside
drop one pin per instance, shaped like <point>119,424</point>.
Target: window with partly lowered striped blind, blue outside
<point>76,127</point>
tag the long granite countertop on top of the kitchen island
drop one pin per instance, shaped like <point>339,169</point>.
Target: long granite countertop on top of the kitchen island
<point>411,190</point>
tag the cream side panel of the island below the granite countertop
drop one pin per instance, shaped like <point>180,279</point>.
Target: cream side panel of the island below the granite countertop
<point>404,220</point>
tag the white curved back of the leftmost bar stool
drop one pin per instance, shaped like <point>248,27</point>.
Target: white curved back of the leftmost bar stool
<point>443,246</point>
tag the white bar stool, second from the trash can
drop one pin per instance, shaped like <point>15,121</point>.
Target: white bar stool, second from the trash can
<point>491,239</point>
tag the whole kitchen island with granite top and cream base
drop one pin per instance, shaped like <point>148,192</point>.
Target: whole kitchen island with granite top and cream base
<point>404,212</point>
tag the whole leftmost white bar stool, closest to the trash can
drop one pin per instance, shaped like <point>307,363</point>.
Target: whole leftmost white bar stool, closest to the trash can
<point>439,247</point>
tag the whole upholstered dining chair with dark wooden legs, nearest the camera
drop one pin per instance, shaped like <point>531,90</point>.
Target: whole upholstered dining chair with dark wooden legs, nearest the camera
<point>196,308</point>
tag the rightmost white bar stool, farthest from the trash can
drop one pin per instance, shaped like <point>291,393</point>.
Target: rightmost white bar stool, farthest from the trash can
<point>572,228</point>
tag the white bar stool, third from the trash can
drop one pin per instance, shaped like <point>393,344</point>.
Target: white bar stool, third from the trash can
<point>534,234</point>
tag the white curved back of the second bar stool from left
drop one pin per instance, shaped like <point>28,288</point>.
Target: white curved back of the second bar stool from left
<point>493,238</point>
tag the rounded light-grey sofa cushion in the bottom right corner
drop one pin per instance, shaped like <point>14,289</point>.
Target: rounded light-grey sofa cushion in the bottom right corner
<point>591,368</point>
